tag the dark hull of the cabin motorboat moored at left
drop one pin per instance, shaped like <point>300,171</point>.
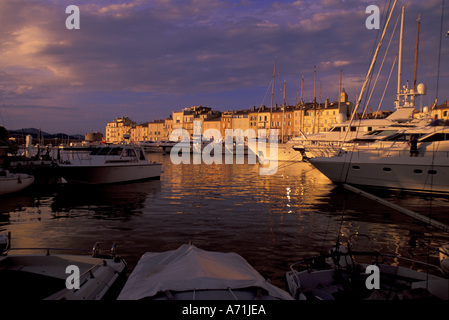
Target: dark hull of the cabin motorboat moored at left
<point>110,174</point>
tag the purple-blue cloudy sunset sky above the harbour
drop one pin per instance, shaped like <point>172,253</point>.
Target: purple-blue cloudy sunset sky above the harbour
<point>144,59</point>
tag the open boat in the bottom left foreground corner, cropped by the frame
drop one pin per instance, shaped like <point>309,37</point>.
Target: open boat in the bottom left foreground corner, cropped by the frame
<point>49,276</point>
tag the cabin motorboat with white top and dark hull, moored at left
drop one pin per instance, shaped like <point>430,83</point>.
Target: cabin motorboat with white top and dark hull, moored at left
<point>109,164</point>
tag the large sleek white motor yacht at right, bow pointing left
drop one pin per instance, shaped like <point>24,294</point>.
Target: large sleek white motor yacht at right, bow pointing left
<point>389,164</point>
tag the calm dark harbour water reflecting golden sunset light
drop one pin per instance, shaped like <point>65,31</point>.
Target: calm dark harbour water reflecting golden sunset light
<point>272,221</point>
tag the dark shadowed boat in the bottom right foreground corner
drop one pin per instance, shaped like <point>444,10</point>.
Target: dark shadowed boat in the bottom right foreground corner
<point>346,274</point>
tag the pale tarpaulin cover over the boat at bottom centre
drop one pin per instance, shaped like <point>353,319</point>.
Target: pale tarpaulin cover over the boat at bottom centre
<point>190,268</point>
